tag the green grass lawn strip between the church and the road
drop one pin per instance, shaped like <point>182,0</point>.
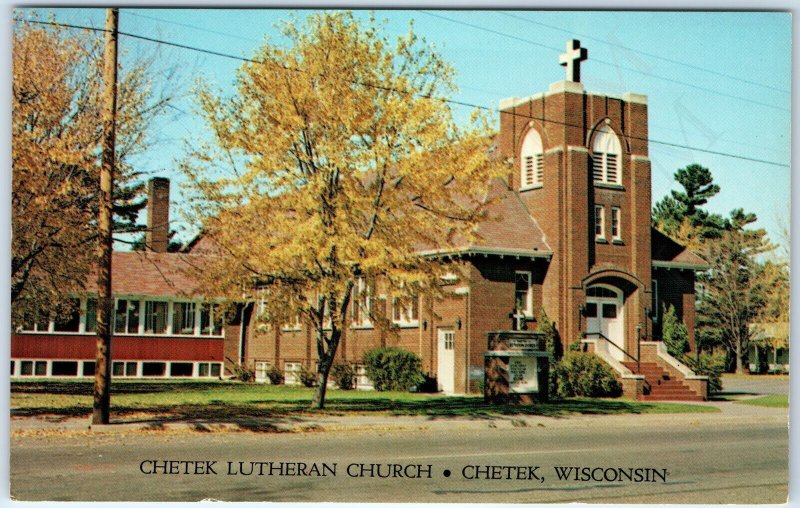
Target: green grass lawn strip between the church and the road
<point>237,402</point>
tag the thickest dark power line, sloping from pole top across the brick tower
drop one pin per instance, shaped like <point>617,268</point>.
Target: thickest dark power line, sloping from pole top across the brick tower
<point>400,91</point>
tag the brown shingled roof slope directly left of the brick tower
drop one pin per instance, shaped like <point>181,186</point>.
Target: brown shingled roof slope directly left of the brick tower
<point>508,229</point>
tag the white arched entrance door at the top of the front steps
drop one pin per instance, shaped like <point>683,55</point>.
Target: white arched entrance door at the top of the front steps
<point>604,315</point>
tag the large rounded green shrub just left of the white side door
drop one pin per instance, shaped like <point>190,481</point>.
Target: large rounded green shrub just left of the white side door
<point>393,369</point>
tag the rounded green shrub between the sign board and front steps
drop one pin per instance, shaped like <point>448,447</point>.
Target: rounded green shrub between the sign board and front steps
<point>585,375</point>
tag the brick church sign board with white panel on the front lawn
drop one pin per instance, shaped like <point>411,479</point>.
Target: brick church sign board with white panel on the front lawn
<point>516,367</point>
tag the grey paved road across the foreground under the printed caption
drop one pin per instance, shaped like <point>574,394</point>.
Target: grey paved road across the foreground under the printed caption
<point>709,458</point>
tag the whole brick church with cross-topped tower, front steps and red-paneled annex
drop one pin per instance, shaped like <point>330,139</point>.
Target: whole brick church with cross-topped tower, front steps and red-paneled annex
<point>568,234</point>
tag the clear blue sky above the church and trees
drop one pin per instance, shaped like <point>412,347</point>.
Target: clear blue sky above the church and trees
<point>717,81</point>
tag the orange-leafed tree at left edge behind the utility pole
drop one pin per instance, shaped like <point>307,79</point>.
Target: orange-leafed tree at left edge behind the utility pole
<point>56,129</point>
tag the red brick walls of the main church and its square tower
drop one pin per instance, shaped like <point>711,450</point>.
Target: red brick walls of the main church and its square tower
<point>567,260</point>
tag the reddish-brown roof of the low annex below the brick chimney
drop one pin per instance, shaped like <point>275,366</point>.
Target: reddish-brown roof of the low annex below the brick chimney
<point>155,274</point>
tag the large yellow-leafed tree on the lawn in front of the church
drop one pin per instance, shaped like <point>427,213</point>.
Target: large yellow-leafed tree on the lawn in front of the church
<point>336,161</point>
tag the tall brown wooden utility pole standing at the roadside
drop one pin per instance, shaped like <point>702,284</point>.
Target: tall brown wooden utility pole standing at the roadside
<point>105,301</point>
